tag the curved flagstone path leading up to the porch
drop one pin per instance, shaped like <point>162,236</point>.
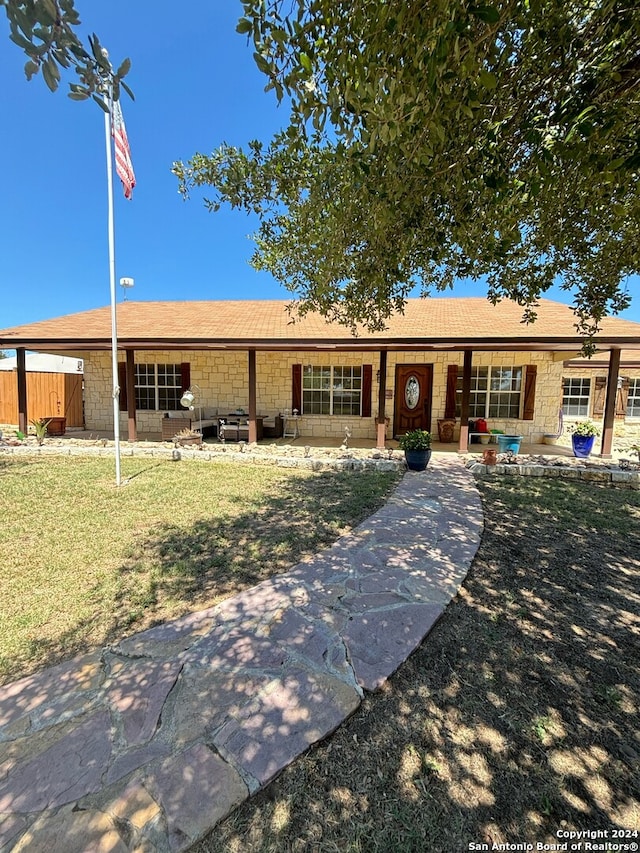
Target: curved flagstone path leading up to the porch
<point>146,745</point>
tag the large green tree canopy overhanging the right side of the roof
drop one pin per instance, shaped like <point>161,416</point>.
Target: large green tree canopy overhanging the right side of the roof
<point>429,142</point>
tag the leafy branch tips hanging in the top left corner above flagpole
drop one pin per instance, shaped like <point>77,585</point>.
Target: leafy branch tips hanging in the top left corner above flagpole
<point>46,31</point>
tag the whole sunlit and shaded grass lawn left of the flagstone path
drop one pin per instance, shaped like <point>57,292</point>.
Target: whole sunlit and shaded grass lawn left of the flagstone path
<point>82,562</point>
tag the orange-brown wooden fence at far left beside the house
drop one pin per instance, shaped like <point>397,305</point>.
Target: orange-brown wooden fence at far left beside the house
<point>49,395</point>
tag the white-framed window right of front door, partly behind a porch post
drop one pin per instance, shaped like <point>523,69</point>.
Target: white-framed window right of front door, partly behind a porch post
<point>496,392</point>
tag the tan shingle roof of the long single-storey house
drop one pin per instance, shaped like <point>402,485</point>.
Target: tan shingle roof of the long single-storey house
<point>426,323</point>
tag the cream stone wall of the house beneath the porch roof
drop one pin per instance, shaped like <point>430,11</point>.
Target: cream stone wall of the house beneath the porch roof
<point>223,378</point>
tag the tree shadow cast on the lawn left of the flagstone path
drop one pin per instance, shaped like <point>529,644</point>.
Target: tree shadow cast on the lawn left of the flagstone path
<point>175,569</point>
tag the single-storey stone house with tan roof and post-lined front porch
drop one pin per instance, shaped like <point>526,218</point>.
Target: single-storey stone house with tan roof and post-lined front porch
<point>442,359</point>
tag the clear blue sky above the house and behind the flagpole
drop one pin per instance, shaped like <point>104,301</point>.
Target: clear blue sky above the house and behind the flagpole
<point>196,86</point>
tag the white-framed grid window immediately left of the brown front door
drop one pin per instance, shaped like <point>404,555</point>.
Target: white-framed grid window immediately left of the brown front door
<point>331,390</point>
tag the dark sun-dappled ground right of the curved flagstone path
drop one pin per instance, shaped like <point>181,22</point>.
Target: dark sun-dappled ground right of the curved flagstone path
<point>516,718</point>
